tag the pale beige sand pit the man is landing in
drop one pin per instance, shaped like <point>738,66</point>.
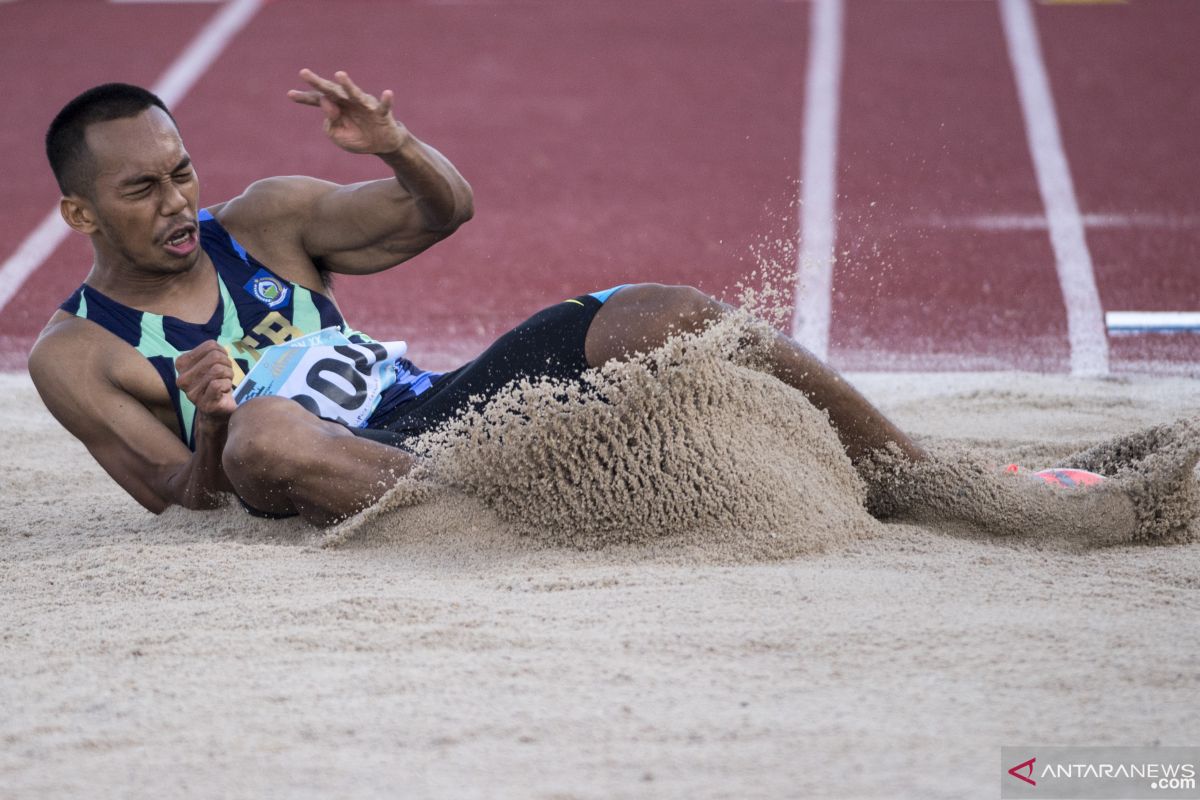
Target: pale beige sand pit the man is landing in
<point>445,649</point>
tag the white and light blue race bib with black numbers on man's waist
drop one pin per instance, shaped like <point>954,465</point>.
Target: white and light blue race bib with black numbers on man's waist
<point>334,378</point>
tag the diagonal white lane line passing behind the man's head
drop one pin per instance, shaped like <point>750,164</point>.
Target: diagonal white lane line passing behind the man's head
<point>171,87</point>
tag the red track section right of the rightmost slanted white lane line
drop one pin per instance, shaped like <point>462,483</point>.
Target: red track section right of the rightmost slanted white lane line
<point>1127,81</point>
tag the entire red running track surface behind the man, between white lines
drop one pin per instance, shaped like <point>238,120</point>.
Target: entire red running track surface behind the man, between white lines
<point>617,141</point>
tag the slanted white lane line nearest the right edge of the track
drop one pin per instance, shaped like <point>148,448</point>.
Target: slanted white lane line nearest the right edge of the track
<point>1077,279</point>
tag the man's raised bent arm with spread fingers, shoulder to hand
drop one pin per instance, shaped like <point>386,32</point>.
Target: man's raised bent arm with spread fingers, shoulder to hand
<point>370,227</point>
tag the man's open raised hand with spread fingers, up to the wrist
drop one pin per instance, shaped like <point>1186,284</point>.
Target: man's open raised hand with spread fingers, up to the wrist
<point>355,121</point>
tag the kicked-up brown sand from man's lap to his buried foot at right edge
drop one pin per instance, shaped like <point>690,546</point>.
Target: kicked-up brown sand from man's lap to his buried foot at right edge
<point>693,443</point>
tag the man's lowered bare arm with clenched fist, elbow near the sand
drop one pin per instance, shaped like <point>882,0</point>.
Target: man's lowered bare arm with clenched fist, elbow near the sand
<point>77,382</point>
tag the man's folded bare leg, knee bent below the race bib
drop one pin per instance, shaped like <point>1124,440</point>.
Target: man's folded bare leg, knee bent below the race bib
<point>284,460</point>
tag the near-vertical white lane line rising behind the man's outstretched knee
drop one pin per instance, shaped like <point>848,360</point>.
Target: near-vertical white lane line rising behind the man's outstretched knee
<point>819,165</point>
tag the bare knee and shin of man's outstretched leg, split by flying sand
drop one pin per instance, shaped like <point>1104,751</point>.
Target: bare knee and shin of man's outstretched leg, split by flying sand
<point>644,316</point>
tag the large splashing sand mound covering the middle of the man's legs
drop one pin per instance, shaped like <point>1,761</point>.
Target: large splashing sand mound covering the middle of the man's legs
<point>685,443</point>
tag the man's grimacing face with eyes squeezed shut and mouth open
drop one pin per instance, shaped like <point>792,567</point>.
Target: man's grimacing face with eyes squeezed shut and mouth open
<point>146,195</point>
